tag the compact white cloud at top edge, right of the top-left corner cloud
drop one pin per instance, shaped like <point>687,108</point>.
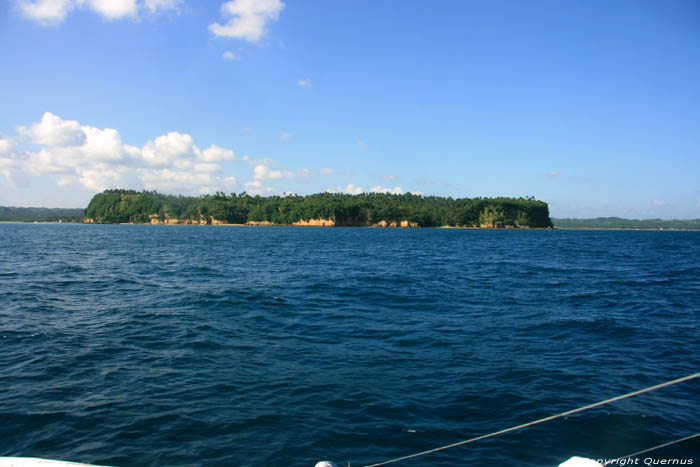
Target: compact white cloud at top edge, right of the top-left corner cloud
<point>248,18</point>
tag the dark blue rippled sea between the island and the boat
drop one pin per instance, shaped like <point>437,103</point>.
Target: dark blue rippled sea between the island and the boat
<point>177,345</point>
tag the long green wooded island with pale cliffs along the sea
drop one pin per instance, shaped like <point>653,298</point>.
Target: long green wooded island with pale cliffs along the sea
<point>128,206</point>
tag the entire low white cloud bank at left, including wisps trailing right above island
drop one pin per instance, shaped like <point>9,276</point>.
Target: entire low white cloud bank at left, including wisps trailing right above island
<point>95,159</point>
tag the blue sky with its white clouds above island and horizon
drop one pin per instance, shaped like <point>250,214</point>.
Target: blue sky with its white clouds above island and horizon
<point>592,106</point>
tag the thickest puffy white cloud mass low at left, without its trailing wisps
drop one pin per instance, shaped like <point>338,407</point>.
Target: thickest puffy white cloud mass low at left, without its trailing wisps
<point>96,158</point>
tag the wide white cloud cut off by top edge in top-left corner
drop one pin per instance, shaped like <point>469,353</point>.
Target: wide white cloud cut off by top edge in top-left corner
<point>50,12</point>
